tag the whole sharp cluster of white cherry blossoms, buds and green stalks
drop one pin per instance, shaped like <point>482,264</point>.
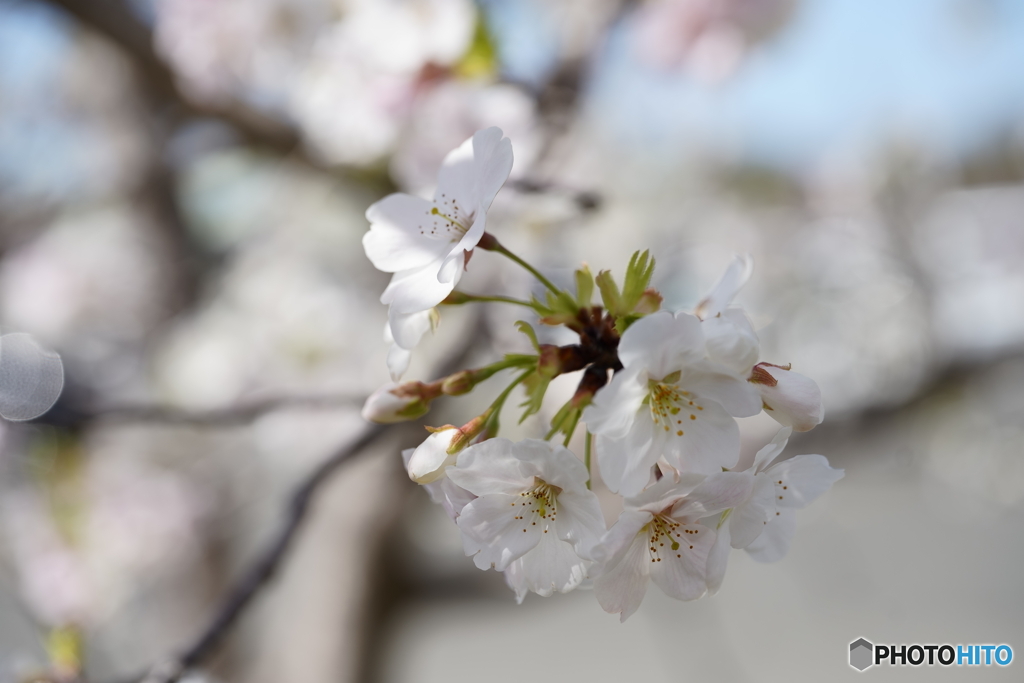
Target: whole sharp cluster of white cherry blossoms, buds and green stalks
<point>659,398</point>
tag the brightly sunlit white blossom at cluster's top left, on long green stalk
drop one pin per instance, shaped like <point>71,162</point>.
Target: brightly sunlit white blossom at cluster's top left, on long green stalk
<point>426,243</point>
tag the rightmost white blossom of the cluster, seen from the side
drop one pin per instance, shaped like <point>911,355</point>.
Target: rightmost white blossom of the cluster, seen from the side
<point>765,523</point>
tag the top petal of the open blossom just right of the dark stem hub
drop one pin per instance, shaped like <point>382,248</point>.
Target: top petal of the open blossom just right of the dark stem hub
<point>663,344</point>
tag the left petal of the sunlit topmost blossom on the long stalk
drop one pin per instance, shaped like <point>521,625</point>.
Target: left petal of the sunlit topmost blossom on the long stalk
<point>396,241</point>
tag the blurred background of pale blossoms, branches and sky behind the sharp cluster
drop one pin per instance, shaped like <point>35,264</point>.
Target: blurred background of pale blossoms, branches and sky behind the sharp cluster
<point>183,186</point>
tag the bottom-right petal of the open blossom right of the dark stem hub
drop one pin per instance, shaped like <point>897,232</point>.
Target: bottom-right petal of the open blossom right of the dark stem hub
<point>710,440</point>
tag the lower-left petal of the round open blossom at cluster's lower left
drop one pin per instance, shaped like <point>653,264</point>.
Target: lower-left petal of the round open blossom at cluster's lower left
<point>491,522</point>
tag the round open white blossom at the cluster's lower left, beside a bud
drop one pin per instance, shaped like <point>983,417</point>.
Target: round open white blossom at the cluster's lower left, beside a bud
<point>535,520</point>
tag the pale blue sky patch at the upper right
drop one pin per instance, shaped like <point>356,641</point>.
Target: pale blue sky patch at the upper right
<point>843,75</point>
